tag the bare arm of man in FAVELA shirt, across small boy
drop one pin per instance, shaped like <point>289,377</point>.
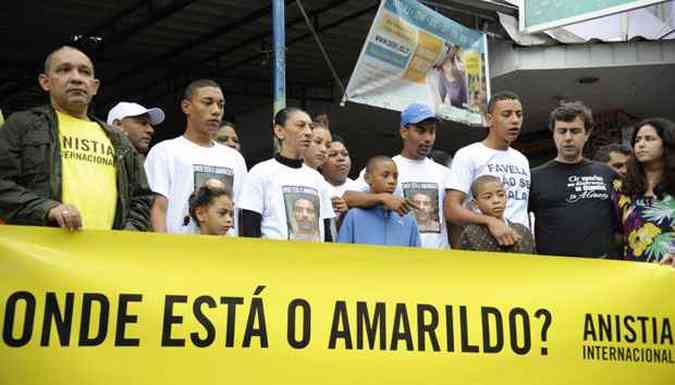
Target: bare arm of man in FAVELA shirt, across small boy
<point>457,213</point>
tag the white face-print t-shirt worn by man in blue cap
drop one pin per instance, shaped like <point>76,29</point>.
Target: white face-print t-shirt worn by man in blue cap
<point>424,182</point>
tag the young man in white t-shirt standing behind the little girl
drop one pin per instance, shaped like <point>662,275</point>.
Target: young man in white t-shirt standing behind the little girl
<point>179,166</point>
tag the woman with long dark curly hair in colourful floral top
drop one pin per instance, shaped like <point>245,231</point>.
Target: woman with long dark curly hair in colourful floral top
<point>645,199</point>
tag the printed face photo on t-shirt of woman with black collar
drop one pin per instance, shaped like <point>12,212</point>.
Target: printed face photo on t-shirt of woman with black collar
<point>302,213</point>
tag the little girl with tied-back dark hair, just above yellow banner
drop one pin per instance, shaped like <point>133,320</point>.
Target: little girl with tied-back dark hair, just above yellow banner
<point>211,209</point>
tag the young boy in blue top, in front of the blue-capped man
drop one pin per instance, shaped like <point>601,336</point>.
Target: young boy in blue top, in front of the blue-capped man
<point>378,225</point>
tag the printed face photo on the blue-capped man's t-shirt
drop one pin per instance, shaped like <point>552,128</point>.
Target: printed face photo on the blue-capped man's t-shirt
<point>425,197</point>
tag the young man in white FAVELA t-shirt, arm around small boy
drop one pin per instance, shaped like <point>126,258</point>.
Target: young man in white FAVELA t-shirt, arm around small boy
<point>493,156</point>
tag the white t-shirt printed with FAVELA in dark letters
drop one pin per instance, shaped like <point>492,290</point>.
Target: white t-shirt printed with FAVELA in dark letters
<point>510,165</point>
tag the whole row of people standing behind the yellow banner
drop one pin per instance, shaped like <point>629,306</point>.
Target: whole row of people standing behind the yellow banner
<point>61,166</point>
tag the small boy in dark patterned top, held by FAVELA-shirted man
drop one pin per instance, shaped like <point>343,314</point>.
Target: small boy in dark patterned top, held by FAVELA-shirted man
<point>490,198</point>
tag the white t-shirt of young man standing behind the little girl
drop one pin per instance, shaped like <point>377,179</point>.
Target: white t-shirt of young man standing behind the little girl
<point>177,167</point>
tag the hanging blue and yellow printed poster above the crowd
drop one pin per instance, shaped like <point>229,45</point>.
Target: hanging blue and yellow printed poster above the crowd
<point>415,54</point>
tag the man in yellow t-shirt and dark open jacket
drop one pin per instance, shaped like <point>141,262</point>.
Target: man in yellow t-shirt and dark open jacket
<point>60,166</point>
